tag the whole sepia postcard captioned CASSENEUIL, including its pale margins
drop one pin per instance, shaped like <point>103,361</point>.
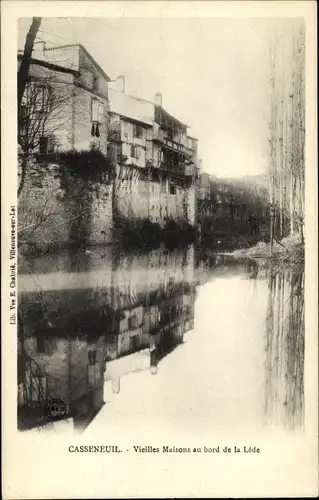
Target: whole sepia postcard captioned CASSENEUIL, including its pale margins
<point>157,246</point>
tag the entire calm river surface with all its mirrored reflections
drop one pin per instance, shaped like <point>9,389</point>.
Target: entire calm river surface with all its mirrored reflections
<point>214,344</point>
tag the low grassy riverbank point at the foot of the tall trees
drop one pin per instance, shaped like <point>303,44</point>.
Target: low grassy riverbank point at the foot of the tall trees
<point>288,252</point>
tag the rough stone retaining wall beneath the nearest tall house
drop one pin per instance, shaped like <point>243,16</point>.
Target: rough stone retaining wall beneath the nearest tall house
<point>57,209</point>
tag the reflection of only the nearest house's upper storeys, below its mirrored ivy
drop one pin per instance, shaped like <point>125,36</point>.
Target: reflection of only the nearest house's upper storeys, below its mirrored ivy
<point>68,369</point>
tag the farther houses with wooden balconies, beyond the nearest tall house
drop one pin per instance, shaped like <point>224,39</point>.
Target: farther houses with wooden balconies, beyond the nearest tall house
<point>154,161</point>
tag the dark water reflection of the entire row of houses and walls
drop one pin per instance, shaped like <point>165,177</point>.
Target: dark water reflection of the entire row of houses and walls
<point>85,319</point>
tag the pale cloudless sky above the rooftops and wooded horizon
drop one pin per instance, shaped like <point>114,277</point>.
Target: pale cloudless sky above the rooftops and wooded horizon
<point>213,75</point>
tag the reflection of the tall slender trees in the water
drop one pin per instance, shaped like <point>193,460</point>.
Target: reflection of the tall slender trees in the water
<point>285,343</point>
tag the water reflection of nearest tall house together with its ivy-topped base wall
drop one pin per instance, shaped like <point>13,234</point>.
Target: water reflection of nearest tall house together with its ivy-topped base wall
<point>62,346</point>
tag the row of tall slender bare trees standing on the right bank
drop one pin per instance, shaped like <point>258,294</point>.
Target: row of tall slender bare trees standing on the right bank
<point>287,131</point>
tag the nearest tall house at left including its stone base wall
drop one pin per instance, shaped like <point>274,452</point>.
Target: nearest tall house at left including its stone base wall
<point>64,117</point>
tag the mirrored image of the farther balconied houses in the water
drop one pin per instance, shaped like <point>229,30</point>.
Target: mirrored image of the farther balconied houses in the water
<point>164,321</point>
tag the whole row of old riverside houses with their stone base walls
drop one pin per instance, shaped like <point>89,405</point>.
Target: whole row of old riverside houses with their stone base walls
<point>68,110</point>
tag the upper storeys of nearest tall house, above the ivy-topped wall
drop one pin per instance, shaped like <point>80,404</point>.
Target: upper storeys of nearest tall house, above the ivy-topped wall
<point>71,89</point>
